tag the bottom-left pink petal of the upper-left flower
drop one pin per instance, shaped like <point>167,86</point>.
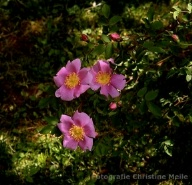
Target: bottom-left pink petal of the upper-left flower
<point>65,93</point>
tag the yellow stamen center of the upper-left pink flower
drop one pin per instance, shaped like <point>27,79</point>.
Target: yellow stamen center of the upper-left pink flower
<point>72,80</point>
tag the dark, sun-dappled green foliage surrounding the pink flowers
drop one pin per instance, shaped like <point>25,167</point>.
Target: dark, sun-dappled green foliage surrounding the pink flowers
<point>141,136</point>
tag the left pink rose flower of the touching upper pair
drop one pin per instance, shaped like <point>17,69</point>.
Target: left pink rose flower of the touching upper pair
<point>71,80</point>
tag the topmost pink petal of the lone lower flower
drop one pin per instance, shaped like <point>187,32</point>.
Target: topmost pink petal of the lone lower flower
<point>81,119</point>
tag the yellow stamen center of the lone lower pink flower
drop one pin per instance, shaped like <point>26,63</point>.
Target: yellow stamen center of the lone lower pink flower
<point>77,133</point>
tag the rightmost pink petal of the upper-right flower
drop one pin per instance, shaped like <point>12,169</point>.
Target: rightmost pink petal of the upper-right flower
<point>118,81</point>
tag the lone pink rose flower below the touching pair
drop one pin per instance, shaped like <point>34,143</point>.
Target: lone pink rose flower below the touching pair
<point>77,130</point>
